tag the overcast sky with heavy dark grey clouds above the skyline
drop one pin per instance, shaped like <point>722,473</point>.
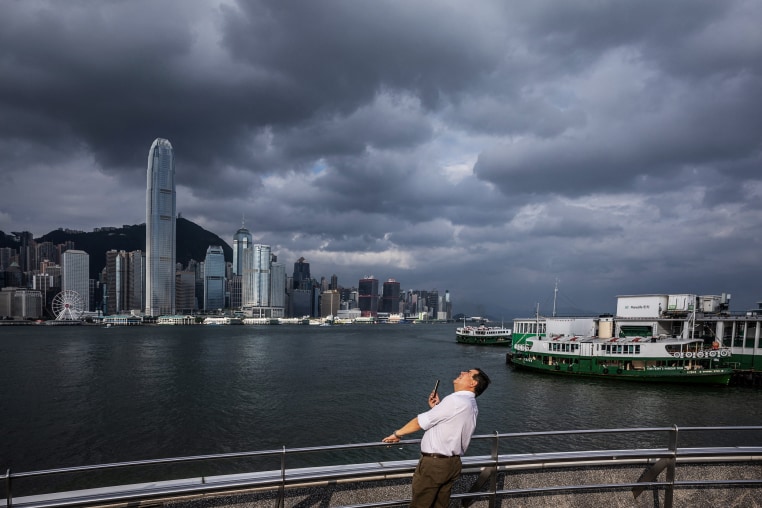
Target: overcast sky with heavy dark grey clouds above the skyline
<point>485,148</point>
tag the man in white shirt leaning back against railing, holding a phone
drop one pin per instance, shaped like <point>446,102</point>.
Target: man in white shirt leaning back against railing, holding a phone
<point>449,426</point>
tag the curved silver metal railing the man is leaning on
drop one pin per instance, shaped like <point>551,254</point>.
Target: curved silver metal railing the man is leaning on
<point>492,469</point>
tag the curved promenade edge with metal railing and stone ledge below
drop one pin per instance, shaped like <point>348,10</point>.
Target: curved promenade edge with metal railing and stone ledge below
<point>632,467</point>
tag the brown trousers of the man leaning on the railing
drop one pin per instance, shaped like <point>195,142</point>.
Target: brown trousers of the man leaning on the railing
<point>433,480</point>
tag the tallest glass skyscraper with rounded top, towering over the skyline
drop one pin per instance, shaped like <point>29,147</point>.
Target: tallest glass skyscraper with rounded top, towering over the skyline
<point>160,229</point>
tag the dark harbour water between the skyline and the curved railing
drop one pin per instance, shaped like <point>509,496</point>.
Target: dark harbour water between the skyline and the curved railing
<point>88,395</point>
